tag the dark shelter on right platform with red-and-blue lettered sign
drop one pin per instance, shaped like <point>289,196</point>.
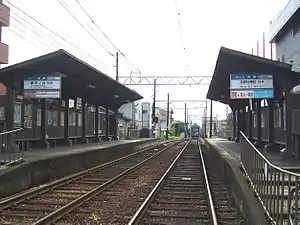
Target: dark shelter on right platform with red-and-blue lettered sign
<point>268,121</point>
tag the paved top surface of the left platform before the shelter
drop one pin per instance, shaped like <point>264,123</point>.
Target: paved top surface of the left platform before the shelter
<point>38,154</point>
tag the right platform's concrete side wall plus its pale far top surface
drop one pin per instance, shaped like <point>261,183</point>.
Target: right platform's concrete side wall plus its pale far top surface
<point>227,163</point>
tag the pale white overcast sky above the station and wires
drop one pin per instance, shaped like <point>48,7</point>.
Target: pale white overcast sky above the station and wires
<point>157,37</point>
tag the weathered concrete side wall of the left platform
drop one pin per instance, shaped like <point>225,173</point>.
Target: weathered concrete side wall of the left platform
<point>34,173</point>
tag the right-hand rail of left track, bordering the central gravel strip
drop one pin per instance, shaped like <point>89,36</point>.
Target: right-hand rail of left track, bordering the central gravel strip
<point>59,213</point>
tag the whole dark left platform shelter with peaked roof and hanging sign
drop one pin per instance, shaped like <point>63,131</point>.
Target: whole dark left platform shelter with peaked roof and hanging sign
<point>58,98</point>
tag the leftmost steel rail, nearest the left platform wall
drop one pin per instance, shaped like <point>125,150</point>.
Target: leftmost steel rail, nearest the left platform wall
<point>7,202</point>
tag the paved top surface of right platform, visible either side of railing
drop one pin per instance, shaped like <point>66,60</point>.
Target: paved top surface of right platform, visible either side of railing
<point>234,149</point>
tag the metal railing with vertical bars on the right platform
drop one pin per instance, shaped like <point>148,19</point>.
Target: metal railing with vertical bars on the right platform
<point>275,188</point>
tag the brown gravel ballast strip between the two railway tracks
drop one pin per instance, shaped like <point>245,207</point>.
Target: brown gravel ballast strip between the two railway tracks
<point>118,204</point>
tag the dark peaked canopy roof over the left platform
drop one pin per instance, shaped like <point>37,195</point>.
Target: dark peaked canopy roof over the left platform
<point>79,79</point>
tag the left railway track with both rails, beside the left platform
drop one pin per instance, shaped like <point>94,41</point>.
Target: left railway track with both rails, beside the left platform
<point>50,202</point>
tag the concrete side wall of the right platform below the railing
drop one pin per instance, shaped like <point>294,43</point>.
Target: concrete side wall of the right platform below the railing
<point>243,194</point>
